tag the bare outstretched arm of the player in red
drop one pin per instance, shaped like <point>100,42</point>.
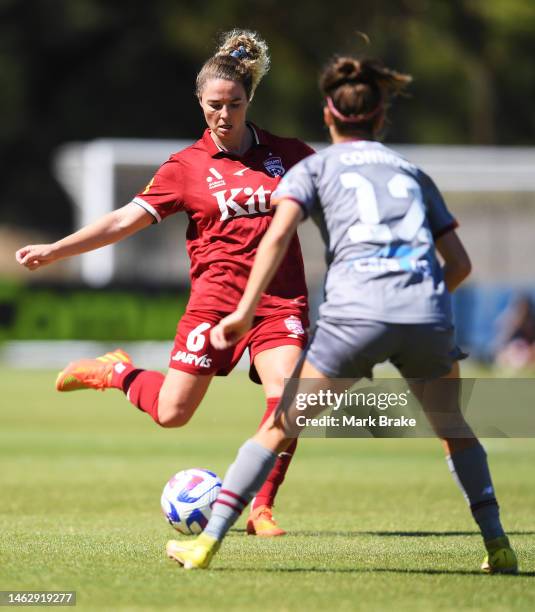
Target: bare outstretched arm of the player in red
<point>109,229</point>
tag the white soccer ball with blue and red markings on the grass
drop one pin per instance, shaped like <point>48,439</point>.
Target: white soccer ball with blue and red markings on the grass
<point>187,499</point>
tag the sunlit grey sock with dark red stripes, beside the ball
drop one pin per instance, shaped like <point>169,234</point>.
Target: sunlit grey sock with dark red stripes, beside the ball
<point>242,482</point>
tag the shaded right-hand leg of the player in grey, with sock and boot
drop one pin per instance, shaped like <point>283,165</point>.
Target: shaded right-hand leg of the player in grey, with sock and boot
<point>467,462</point>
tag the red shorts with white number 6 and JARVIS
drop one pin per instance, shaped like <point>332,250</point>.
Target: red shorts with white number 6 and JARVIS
<point>193,353</point>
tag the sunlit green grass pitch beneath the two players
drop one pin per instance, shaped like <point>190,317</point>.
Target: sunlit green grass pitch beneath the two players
<point>373,524</point>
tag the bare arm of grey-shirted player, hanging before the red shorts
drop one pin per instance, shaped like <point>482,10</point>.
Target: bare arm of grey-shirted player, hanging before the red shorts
<point>269,256</point>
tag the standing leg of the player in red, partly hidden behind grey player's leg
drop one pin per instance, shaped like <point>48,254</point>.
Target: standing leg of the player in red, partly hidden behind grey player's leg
<point>273,366</point>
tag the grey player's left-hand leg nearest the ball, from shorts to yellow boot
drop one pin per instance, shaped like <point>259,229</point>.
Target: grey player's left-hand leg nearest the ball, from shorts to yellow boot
<point>331,354</point>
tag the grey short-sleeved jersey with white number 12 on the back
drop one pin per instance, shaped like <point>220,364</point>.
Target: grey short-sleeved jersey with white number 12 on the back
<point>378,215</point>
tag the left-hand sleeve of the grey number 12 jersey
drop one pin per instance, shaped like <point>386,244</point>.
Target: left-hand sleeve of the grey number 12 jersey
<point>300,185</point>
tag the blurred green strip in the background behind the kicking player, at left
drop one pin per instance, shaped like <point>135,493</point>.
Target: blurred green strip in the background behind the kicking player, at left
<point>46,313</point>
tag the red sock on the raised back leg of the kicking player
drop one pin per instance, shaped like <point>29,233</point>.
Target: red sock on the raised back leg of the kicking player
<point>142,387</point>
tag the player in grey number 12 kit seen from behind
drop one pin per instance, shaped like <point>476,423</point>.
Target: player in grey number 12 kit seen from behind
<point>387,296</point>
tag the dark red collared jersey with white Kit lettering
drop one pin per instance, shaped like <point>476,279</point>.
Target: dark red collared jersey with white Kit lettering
<point>227,200</point>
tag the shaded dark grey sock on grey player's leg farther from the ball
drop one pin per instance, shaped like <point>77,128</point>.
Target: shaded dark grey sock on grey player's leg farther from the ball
<point>470,470</point>
